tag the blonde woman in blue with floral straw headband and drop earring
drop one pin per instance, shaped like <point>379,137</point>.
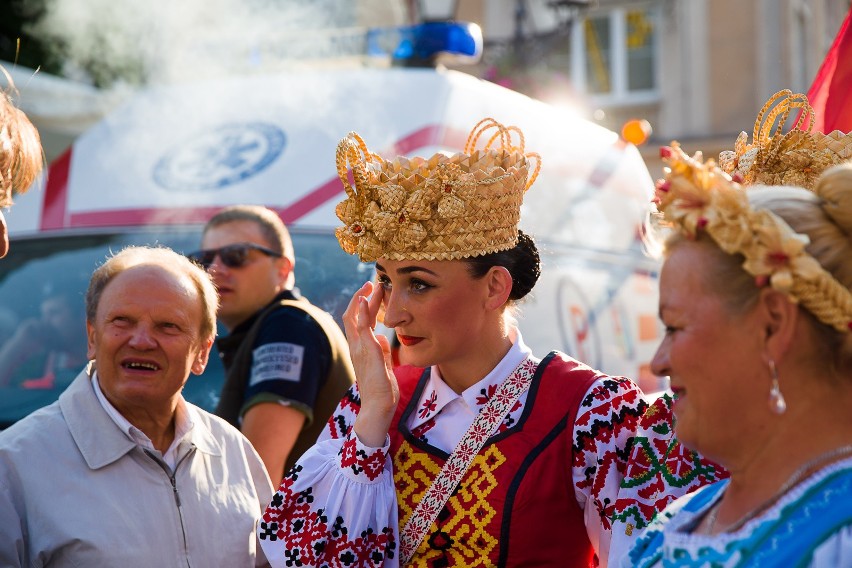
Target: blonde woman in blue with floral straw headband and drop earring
<point>755,297</point>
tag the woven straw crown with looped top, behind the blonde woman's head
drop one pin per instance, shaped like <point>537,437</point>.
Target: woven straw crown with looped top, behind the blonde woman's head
<point>797,157</point>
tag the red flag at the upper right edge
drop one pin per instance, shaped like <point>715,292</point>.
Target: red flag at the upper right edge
<point>831,92</point>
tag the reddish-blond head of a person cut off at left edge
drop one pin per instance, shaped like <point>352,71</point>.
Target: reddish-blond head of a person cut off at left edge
<point>21,158</point>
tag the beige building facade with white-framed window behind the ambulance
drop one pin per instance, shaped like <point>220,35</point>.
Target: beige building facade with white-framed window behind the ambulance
<point>698,70</point>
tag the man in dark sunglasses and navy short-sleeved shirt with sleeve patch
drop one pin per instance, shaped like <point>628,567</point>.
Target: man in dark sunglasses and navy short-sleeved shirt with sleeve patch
<point>286,361</point>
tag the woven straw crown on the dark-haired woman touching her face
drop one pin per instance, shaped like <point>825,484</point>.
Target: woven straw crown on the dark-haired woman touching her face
<point>441,208</point>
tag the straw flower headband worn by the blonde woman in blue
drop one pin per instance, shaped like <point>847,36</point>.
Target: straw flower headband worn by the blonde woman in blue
<point>697,195</point>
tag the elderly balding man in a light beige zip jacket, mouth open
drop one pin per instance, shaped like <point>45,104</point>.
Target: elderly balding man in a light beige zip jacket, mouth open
<point>121,470</point>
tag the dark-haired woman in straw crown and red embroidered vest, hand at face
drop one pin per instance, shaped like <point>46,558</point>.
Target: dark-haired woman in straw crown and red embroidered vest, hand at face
<point>481,453</point>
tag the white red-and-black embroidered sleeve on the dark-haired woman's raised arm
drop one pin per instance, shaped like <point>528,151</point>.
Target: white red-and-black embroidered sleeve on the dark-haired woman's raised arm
<point>337,506</point>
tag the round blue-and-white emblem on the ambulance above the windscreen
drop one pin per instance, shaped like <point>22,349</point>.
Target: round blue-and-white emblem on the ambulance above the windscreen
<point>220,157</point>
